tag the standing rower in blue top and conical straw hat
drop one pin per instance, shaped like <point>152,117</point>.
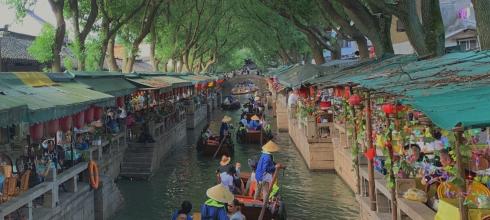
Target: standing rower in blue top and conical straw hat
<point>266,168</point>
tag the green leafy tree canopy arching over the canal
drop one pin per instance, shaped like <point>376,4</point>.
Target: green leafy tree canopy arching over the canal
<point>217,35</point>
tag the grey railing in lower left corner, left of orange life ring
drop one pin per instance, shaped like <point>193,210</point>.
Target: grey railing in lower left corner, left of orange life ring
<point>23,204</point>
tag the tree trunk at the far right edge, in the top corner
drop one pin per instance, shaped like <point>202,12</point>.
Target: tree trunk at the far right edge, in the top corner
<point>482,21</point>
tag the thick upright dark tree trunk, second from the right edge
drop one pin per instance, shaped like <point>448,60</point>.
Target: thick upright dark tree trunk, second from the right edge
<point>435,37</point>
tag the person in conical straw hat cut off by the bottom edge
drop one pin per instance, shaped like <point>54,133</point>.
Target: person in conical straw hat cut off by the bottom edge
<point>214,208</point>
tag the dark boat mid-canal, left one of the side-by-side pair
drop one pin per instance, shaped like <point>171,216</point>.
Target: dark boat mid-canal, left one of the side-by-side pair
<point>210,146</point>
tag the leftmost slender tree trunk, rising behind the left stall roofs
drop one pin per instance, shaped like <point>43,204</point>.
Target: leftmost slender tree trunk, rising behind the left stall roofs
<point>57,7</point>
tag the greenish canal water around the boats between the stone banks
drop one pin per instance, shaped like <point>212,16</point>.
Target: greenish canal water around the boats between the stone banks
<point>185,175</point>
